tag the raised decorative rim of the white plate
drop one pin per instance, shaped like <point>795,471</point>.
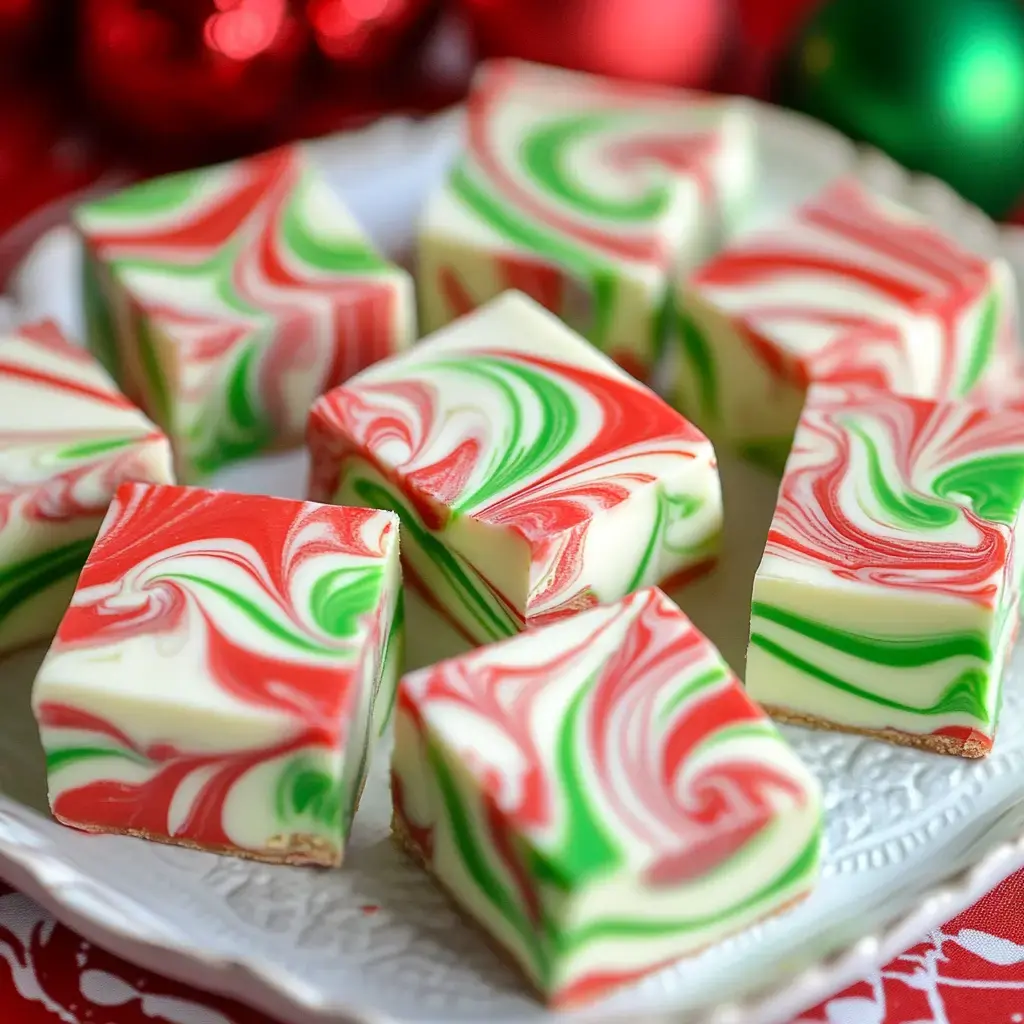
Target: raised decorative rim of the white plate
<point>30,861</point>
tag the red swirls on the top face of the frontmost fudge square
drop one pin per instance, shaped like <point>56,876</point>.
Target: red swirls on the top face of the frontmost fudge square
<point>689,822</point>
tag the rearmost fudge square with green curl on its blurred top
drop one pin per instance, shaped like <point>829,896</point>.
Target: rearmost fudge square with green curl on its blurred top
<point>583,193</point>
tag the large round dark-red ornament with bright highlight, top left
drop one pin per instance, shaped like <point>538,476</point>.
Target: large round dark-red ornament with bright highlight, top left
<point>191,78</point>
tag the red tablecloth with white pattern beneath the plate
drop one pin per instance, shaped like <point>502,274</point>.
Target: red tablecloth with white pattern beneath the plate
<point>970,972</point>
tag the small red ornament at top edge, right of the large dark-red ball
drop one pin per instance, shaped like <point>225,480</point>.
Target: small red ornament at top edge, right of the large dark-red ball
<point>367,35</point>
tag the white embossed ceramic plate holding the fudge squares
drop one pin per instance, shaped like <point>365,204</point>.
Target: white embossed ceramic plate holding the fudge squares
<point>912,837</point>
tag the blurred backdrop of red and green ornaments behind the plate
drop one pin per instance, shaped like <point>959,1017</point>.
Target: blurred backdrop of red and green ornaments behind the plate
<point>98,93</point>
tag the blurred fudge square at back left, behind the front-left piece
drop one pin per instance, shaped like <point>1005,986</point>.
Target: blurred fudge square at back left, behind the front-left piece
<point>225,301</point>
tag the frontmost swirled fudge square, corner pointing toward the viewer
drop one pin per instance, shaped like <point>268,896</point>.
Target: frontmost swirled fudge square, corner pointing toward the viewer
<point>602,796</point>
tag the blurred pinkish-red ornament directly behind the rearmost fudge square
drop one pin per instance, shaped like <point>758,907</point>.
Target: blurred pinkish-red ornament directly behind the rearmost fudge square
<point>677,42</point>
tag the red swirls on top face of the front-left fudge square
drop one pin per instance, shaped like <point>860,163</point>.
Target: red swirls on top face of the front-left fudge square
<point>148,522</point>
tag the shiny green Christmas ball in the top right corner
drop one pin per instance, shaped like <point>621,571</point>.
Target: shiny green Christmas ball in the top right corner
<point>937,84</point>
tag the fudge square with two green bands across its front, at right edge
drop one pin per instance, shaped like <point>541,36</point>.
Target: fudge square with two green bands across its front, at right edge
<point>887,600</point>
